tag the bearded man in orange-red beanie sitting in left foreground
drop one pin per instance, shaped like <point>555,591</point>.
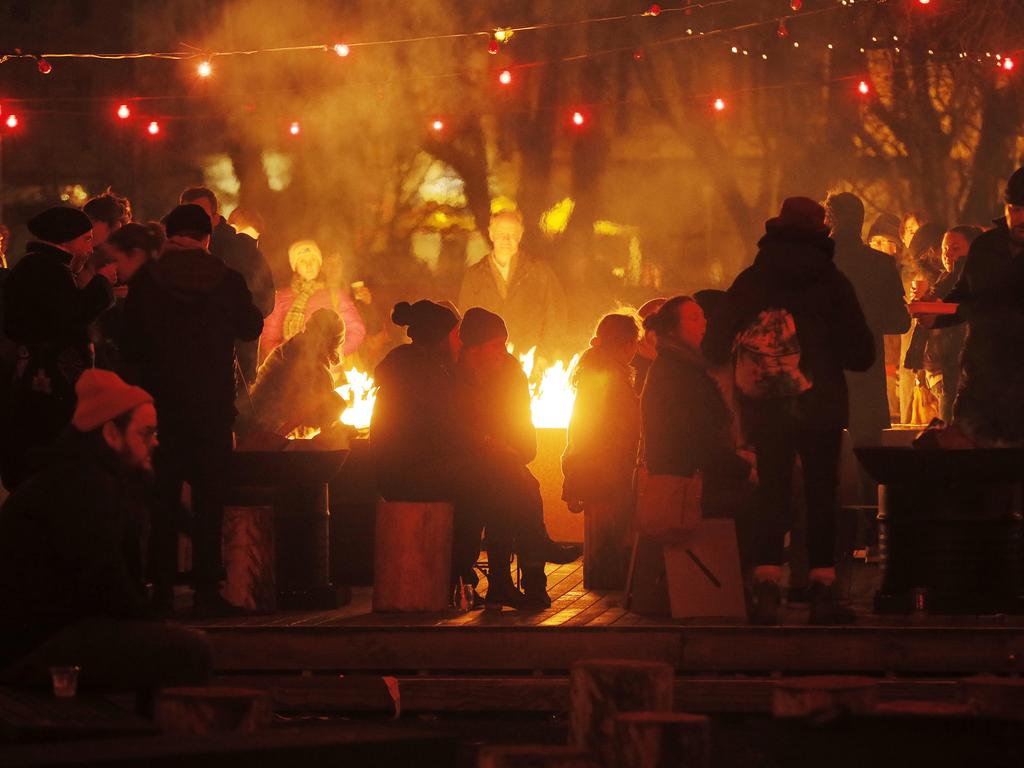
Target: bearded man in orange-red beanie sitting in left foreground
<point>70,558</point>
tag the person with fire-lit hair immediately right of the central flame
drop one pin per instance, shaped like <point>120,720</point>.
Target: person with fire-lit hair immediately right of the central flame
<point>601,456</point>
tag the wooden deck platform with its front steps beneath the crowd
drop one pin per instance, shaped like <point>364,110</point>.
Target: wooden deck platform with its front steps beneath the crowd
<point>517,661</point>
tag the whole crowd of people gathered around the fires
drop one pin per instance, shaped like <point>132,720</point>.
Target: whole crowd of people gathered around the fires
<point>113,327</point>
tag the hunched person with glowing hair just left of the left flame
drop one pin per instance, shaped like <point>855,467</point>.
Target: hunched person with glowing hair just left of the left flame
<point>294,387</point>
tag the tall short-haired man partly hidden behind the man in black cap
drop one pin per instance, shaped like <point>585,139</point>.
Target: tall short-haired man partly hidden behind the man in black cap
<point>241,253</point>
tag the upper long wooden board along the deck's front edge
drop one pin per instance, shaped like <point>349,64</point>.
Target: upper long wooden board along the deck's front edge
<point>693,650</point>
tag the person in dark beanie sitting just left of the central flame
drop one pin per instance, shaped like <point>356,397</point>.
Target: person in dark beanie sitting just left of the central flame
<point>495,404</point>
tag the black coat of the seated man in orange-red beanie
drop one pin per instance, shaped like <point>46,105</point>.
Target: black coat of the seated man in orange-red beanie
<point>70,544</point>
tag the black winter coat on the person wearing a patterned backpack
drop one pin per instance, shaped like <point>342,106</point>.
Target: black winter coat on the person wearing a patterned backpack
<point>794,271</point>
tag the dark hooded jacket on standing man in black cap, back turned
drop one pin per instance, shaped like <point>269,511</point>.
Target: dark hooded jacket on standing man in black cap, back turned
<point>183,318</point>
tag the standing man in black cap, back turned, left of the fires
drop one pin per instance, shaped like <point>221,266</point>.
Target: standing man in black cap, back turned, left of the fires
<point>183,318</point>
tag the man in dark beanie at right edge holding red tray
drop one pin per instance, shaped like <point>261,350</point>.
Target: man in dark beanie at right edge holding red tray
<point>991,300</point>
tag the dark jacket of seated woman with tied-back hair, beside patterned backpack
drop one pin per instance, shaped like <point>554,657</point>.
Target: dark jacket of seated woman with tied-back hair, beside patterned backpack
<point>687,423</point>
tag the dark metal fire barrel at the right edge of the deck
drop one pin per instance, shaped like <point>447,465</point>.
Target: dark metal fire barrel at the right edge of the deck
<point>953,528</point>
